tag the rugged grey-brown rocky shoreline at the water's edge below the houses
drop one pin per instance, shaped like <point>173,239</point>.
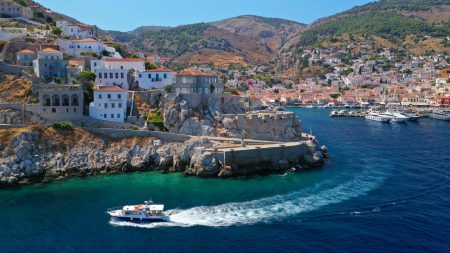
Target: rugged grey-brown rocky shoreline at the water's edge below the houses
<point>43,154</point>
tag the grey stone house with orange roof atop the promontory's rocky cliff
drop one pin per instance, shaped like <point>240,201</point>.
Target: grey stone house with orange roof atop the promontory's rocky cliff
<point>196,82</point>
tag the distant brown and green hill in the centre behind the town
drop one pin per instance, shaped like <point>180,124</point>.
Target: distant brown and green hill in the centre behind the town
<point>242,40</point>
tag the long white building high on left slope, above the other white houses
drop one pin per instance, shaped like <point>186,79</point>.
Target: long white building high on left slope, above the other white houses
<point>75,47</point>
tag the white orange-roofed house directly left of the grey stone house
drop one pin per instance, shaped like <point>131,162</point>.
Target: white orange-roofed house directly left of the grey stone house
<point>155,78</point>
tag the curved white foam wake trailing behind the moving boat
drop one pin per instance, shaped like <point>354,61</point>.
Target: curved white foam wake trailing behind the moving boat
<point>271,208</point>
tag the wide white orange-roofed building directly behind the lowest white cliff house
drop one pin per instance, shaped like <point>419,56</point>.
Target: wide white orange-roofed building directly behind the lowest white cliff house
<point>115,72</point>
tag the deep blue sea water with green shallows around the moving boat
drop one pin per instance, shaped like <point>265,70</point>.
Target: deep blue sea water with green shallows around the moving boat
<point>385,188</point>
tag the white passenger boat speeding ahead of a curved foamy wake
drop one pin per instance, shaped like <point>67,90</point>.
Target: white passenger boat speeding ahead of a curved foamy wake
<point>147,212</point>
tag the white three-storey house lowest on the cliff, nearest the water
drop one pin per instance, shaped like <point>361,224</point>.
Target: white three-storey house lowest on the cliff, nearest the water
<point>110,103</point>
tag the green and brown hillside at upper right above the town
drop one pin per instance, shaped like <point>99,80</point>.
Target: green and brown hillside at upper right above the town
<point>419,27</point>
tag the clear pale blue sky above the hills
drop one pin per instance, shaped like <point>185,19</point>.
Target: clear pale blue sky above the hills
<point>126,15</point>
